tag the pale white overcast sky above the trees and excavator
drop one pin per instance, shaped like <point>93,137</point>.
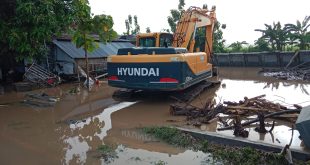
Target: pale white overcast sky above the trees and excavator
<point>240,16</point>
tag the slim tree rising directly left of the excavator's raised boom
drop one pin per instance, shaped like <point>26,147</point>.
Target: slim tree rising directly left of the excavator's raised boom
<point>176,15</point>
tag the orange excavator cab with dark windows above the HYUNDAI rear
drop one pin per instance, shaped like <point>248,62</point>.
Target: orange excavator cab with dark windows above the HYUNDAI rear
<point>160,39</point>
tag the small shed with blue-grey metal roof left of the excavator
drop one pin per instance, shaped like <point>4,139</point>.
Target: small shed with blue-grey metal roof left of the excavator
<point>65,57</point>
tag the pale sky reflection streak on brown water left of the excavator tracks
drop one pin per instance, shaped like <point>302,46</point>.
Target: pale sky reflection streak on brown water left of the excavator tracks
<point>88,134</point>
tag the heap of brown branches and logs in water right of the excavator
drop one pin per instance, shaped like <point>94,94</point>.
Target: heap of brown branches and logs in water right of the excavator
<point>236,112</point>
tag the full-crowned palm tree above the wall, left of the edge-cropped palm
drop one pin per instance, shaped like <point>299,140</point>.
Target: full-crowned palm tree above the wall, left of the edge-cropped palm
<point>275,35</point>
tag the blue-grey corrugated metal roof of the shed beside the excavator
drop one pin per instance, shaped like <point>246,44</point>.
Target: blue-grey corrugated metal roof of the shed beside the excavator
<point>104,50</point>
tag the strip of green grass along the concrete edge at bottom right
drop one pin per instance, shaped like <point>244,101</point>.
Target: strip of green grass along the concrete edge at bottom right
<point>220,153</point>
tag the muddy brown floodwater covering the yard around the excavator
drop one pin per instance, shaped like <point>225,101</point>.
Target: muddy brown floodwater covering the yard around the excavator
<point>70,131</point>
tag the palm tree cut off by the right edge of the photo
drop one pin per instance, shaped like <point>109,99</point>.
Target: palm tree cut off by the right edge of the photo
<point>300,32</point>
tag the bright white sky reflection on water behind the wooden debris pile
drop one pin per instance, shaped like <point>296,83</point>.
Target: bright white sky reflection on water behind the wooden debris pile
<point>236,90</point>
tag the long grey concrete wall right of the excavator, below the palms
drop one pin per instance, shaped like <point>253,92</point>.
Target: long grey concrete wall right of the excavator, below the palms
<point>260,59</point>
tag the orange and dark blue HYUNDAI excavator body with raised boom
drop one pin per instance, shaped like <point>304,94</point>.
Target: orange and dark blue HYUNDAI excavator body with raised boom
<point>154,65</point>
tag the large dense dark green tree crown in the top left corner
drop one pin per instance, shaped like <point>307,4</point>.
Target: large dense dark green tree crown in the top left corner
<point>28,25</point>
